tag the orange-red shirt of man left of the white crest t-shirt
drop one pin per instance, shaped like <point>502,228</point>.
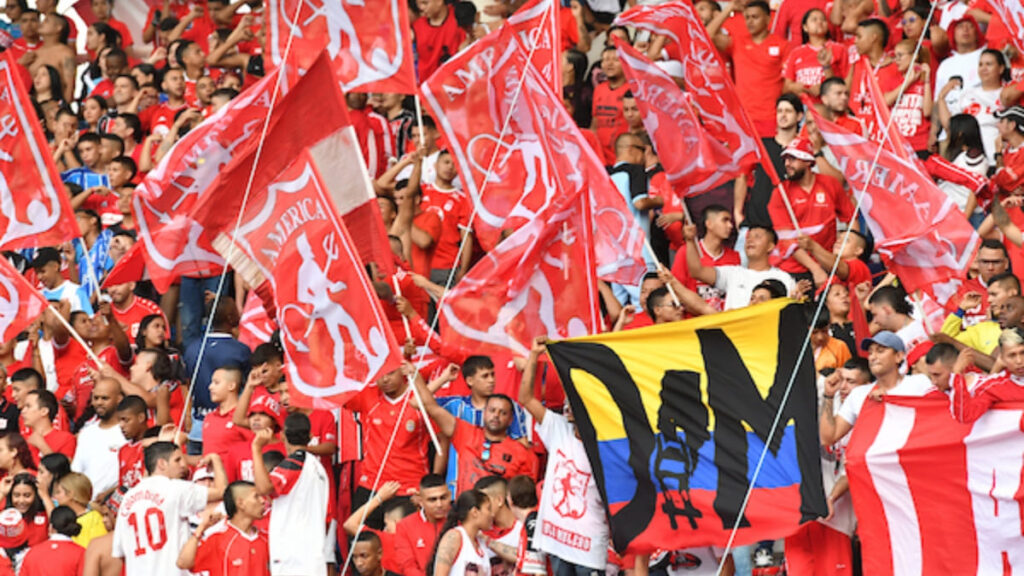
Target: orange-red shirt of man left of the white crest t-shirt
<point>480,458</point>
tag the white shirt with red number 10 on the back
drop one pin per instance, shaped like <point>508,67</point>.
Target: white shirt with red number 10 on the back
<point>153,525</point>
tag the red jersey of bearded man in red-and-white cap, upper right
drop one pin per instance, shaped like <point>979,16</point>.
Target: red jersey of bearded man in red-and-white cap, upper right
<point>817,211</point>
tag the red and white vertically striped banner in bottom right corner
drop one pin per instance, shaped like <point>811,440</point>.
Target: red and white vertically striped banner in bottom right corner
<point>934,497</point>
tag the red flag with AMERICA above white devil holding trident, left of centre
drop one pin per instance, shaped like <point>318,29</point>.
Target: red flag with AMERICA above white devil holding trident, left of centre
<point>335,335</point>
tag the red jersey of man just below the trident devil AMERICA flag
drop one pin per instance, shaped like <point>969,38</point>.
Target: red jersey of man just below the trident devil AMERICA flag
<point>379,417</point>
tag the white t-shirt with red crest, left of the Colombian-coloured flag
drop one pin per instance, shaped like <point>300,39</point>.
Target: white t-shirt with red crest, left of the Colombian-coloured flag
<point>571,520</point>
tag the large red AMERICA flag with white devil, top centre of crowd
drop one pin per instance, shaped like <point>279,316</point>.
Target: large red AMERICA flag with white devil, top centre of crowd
<point>521,155</point>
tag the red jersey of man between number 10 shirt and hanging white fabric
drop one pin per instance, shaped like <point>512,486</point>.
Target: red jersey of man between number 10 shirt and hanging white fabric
<point>229,552</point>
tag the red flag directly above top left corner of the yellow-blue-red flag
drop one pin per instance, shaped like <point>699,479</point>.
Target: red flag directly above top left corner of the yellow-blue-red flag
<point>541,280</point>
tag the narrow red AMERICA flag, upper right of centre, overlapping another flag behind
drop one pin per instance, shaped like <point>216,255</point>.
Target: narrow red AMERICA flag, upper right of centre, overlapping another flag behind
<point>682,144</point>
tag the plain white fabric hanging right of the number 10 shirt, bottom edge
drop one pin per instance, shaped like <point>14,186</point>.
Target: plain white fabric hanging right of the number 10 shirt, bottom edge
<point>298,524</point>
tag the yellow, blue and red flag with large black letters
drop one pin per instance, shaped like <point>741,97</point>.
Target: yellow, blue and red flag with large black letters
<point>675,418</point>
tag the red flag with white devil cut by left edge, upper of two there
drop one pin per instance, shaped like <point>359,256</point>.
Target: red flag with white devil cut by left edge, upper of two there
<point>35,211</point>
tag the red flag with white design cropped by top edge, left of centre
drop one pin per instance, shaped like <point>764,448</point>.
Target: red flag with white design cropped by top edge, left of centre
<point>369,44</point>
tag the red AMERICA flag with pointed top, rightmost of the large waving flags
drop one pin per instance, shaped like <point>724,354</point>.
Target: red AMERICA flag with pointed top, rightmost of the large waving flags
<point>918,230</point>
